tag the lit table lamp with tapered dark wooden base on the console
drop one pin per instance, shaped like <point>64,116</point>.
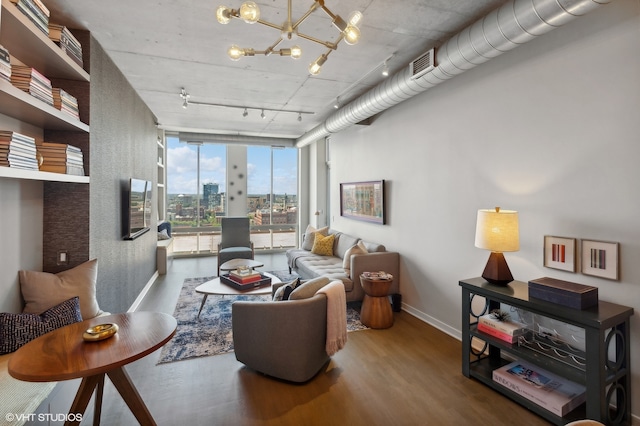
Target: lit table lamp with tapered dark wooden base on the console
<point>497,230</point>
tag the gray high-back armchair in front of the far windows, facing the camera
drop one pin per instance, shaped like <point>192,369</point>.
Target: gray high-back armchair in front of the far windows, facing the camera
<point>235,240</point>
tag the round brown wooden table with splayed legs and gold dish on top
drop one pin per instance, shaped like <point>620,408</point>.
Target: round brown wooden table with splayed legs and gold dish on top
<point>63,355</point>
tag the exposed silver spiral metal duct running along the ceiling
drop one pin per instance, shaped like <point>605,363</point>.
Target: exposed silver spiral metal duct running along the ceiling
<point>507,27</point>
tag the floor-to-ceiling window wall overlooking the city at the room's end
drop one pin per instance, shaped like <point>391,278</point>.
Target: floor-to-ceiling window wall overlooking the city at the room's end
<point>198,195</point>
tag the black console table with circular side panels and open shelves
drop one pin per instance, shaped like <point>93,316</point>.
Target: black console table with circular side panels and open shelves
<point>607,333</point>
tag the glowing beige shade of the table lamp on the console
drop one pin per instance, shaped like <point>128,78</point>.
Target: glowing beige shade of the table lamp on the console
<point>497,230</point>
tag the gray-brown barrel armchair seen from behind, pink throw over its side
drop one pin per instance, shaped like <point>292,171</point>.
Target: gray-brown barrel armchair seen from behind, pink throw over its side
<point>284,339</point>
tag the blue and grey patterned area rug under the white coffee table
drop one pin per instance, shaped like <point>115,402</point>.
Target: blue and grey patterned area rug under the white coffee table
<point>211,334</point>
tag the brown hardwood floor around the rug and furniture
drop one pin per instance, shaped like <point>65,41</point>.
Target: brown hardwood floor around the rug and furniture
<point>409,374</point>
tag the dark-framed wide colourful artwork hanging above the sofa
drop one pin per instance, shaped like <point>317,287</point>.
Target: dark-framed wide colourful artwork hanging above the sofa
<point>363,201</point>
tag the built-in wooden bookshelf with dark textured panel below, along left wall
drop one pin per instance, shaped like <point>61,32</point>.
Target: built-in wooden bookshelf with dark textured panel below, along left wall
<point>65,197</point>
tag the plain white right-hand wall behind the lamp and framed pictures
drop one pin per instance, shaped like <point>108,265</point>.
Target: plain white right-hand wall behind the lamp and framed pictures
<point>550,129</point>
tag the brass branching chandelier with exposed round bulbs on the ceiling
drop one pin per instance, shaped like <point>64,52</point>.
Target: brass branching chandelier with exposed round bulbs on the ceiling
<point>249,12</point>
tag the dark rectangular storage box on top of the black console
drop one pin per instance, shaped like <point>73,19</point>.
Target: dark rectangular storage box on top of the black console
<point>565,293</point>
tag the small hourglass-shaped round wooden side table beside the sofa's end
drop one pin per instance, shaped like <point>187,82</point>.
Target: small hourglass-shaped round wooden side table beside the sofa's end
<point>376,310</point>
